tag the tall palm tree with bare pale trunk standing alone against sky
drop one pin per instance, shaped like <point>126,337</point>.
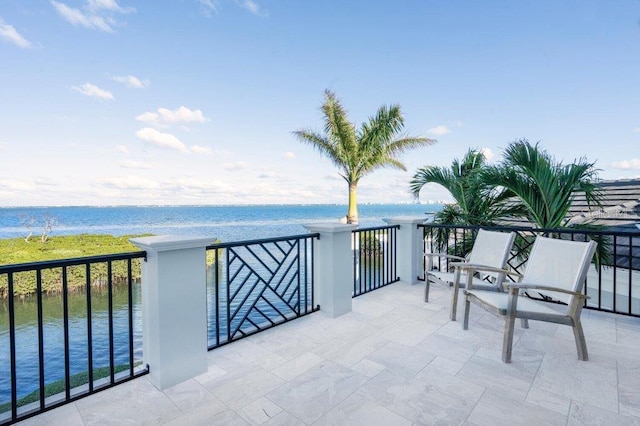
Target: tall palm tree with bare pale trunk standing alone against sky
<point>376,144</point>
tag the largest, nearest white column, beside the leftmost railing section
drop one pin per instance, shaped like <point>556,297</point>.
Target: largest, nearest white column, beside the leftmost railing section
<point>174,307</point>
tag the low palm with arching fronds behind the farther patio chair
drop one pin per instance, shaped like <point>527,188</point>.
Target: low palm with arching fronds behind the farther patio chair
<point>476,203</point>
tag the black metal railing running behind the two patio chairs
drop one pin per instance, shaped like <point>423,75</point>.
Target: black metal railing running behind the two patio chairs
<point>613,280</point>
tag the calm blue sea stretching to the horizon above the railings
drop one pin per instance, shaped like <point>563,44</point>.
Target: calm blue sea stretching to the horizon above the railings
<point>227,223</point>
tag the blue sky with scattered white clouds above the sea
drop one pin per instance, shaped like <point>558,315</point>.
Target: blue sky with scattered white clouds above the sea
<point>194,101</point>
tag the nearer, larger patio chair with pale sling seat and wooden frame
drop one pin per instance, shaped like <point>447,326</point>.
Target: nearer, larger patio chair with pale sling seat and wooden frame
<point>557,270</point>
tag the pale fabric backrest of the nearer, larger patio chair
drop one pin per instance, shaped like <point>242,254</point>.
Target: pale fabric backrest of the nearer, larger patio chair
<point>559,263</point>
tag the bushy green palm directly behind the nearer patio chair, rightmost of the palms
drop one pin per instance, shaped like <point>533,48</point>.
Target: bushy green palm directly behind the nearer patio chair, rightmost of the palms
<point>543,186</point>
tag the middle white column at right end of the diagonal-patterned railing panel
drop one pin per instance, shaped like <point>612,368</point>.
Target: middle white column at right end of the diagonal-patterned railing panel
<point>333,268</point>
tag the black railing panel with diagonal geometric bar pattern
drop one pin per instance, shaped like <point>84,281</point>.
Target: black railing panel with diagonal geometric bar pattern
<point>255,285</point>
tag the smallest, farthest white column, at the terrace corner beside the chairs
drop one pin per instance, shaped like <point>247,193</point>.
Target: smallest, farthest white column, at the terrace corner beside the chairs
<point>409,251</point>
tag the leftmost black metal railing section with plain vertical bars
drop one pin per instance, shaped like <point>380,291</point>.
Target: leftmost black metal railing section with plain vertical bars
<point>68,329</point>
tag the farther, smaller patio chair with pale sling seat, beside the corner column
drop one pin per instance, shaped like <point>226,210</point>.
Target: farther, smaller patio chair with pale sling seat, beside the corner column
<point>484,266</point>
